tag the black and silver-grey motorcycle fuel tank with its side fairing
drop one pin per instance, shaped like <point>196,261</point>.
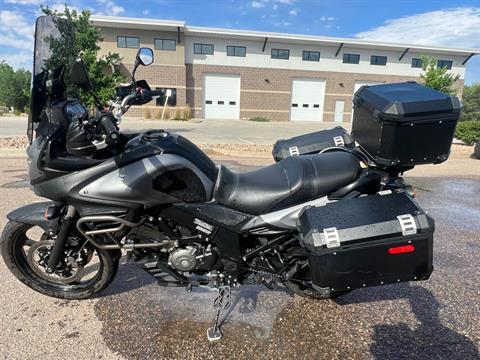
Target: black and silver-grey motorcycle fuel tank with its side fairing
<point>154,168</point>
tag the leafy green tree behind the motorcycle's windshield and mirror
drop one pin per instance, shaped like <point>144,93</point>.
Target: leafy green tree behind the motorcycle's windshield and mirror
<point>79,36</point>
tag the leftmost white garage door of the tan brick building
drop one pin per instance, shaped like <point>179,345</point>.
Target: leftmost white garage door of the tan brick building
<point>221,96</point>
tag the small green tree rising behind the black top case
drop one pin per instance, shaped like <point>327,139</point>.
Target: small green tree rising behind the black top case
<point>438,78</point>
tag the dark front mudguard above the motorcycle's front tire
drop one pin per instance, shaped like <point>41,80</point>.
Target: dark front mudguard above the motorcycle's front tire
<point>34,214</point>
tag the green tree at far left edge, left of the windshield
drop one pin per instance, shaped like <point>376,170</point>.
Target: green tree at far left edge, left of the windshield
<point>15,89</point>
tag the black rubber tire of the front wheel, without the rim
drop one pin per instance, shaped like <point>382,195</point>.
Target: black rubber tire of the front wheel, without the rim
<point>14,240</point>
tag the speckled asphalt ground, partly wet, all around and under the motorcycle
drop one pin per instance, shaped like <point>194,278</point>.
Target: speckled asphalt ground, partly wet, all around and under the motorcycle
<point>134,318</point>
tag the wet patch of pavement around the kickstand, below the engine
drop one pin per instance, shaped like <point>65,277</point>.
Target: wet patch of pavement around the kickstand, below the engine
<point>146,320</point>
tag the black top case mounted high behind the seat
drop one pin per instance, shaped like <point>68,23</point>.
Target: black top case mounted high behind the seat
<point>404,124</point>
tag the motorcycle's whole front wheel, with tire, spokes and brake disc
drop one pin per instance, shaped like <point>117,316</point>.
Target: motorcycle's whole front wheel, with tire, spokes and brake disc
<point>83,272</point>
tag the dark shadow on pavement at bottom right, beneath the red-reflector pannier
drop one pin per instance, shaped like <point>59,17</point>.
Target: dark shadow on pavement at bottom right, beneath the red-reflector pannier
<point>430,340</point>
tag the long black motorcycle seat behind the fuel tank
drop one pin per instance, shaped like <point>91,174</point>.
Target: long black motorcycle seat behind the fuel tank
<point>289,182</point>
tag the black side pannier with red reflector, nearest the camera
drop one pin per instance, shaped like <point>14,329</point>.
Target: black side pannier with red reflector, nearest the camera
<point>367,241</point>
